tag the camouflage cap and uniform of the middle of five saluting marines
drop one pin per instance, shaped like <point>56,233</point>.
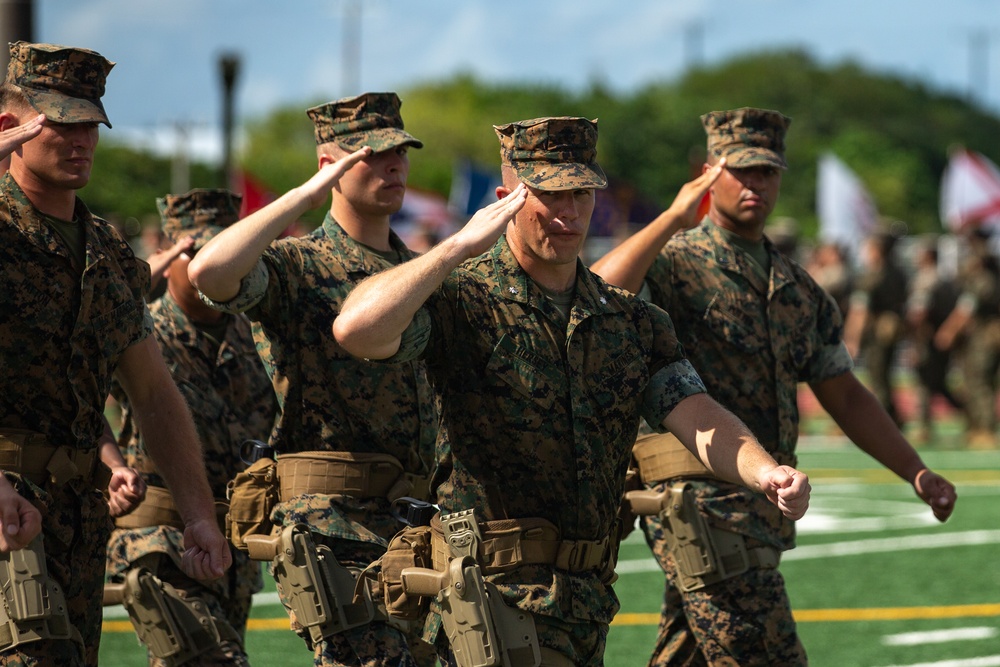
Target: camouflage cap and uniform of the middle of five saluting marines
<point>329,401</point>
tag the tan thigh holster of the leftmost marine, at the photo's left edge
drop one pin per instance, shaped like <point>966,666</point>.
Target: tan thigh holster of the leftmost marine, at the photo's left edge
<point>33,606</point>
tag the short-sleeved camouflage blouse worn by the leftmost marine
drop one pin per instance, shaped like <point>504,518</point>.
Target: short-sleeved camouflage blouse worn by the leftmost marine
<point>62,332</point>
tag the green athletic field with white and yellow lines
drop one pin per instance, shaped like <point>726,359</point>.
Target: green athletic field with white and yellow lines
<point>874,582</point>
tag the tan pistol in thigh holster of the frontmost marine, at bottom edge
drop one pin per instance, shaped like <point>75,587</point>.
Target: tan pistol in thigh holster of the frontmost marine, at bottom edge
<point>482,630</point>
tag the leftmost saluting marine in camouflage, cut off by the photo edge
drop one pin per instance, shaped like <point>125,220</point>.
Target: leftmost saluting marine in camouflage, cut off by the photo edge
<point>71,315</point>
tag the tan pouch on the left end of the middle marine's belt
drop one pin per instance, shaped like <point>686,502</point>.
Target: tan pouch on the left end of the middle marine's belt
<point>252,495</point>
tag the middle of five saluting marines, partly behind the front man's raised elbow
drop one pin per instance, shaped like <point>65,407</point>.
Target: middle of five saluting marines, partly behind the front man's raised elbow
<point>292,289</point>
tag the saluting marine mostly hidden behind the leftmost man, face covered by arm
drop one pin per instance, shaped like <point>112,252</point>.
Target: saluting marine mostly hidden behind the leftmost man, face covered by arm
<point>213,360</point>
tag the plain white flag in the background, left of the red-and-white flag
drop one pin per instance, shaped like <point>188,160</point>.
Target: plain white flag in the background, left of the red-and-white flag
<point>846,211</point>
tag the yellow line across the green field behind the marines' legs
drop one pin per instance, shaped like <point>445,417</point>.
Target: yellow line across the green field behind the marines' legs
<point>801,616</point>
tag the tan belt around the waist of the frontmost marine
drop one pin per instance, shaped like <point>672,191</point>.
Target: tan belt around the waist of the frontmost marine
<point>534,541</point>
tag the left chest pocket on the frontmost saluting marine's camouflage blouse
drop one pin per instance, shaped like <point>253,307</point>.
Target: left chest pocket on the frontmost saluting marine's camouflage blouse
<point>524,385</point>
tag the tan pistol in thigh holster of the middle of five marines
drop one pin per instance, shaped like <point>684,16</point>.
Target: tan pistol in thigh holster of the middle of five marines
<point>317,588</point>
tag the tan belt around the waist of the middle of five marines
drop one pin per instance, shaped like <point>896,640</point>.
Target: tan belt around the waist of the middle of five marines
<point>347,473</point>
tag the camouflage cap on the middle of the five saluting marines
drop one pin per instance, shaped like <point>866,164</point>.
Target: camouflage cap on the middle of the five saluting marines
<point>371,119</point>
